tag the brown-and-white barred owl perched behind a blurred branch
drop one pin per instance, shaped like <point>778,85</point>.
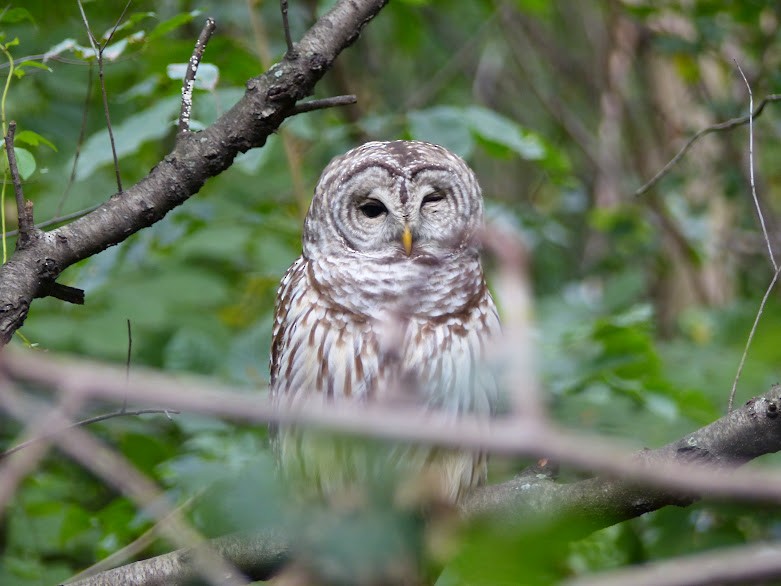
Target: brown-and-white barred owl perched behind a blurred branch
<point>387,302</point>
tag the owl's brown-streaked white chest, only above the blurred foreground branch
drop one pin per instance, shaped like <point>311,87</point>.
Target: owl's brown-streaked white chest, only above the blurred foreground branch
<point>386,336</point>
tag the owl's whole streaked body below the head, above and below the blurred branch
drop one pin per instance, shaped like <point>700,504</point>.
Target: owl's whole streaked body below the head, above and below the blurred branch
<point>385,346</point>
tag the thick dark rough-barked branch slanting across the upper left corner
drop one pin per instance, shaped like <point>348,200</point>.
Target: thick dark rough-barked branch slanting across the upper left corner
<point>269,99</point>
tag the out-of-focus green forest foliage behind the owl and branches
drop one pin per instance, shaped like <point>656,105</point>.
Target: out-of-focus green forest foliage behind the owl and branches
<point>564,109</point>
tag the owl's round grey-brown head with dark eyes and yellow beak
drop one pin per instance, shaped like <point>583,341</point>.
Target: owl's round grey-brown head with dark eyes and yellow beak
<point>394,201</point>
